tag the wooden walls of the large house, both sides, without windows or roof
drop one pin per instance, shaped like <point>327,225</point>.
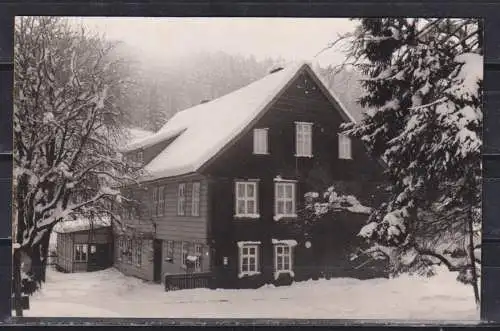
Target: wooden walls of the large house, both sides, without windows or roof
<point>323,251</point>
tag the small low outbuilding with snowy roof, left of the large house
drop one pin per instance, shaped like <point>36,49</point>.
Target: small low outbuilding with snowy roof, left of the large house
<point>84,245</point>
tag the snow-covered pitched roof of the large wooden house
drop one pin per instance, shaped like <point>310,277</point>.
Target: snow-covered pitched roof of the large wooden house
<point>202,131</point>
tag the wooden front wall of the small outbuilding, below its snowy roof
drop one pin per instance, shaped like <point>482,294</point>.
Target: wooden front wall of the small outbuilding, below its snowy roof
<point>98,247</point>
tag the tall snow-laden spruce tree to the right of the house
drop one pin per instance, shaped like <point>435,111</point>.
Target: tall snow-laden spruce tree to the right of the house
<point>423,119</point>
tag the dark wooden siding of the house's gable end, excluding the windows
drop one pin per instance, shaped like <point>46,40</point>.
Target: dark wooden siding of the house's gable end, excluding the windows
<point>362,176</point>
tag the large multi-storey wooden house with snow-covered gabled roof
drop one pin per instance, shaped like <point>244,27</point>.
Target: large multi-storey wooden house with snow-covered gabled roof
<point>224,188</point>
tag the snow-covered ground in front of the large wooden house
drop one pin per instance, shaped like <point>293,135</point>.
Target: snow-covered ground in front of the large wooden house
<point>109,293</point>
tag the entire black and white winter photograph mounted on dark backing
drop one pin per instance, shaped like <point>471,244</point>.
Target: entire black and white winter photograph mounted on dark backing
<point>254,168</point>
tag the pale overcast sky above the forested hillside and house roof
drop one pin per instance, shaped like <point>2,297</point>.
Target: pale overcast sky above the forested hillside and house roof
<point>293,39</point>
